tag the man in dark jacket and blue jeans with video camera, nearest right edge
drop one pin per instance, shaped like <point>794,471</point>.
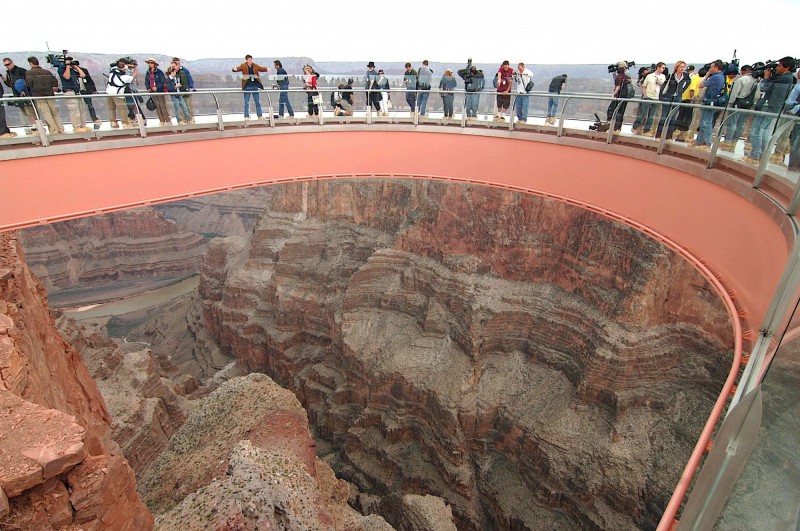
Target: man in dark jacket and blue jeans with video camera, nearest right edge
<point>776,88</point>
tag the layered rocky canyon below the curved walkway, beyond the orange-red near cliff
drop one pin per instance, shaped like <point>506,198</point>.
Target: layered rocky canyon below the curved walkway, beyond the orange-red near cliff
<point>463,355</point>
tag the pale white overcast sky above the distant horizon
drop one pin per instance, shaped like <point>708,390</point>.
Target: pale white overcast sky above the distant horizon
<point>548,32</point>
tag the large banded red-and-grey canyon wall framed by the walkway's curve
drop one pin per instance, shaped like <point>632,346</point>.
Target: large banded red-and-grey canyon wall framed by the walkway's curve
<point>534,364</point>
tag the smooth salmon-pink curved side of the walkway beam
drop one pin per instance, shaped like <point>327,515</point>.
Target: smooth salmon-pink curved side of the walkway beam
<point>736,239</point>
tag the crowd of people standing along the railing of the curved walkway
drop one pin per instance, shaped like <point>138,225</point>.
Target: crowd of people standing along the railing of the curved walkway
<point>721,86</point>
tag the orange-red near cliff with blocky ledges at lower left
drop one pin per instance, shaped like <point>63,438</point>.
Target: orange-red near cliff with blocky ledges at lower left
<point>58,464</point>
